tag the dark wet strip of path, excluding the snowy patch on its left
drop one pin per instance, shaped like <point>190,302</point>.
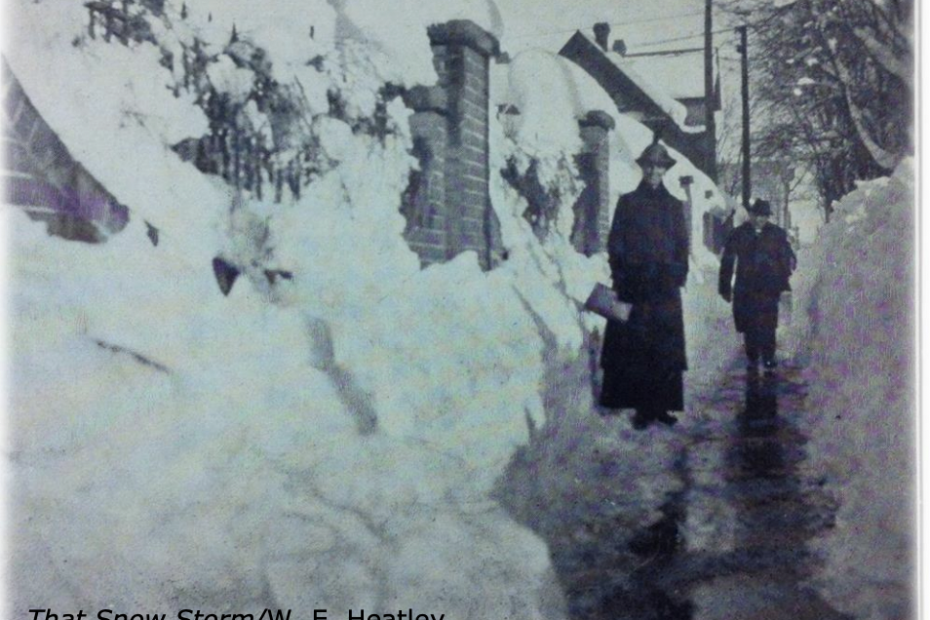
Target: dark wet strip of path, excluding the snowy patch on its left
<point>732,541</point>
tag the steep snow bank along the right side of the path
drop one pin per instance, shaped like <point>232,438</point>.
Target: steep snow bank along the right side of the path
<point>855,300</point>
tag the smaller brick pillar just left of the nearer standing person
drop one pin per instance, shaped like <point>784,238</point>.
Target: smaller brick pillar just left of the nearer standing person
<point>592,209</point>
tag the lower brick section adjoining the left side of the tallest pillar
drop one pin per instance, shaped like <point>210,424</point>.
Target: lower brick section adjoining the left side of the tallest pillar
<point>424,202</point>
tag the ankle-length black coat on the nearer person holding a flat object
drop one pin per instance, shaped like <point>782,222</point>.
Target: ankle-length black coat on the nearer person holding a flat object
<point>643,359</point>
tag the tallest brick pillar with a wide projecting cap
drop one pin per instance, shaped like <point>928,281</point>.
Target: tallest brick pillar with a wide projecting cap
<point>461,53</point>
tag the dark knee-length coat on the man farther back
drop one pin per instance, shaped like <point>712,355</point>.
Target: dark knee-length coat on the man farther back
<point>764,262</point>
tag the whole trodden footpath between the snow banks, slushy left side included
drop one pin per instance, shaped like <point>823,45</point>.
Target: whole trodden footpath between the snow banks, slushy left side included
<point>709,520</point>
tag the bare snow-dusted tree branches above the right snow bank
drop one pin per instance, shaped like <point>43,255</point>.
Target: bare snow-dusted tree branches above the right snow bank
<point>833,85</point>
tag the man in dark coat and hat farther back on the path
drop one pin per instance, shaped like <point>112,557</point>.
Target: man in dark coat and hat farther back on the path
<point>764,262</point>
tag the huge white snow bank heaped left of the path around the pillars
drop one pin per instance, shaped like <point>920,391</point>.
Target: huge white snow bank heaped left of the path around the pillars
<point>328,440</point>
